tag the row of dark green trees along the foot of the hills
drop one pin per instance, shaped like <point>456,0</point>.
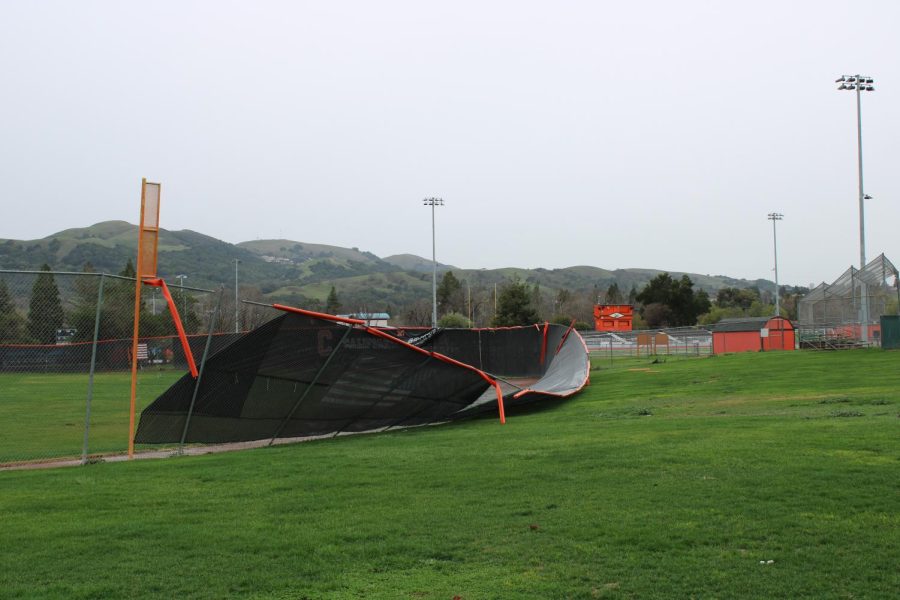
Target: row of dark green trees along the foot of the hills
<point>663,302</point>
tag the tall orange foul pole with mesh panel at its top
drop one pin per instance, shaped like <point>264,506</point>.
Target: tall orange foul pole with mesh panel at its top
<point>148,235</point>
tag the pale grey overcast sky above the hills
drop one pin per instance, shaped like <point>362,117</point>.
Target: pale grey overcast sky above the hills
<point>613,134</point>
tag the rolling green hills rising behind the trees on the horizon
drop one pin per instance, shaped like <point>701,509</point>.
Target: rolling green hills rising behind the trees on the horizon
<point>302,273</point>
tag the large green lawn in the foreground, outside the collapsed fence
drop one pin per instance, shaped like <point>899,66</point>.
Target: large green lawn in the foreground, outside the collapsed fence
<point>752,475</point>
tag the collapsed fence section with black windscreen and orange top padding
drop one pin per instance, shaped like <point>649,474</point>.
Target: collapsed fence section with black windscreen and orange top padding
<point>306,374</point>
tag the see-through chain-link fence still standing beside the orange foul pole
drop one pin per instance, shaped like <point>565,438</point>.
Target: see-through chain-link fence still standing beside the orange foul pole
<point>66,354</point>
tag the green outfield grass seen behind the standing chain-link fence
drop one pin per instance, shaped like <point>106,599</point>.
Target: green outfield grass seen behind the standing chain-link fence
<point>43,414</point>
